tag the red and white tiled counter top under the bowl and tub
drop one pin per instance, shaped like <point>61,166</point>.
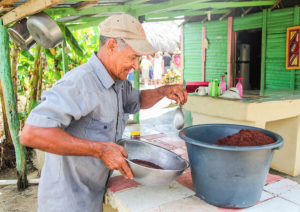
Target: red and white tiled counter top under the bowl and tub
<point>279,195</point>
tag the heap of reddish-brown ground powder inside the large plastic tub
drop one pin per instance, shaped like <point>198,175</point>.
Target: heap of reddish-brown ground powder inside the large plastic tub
<point>246,138</point>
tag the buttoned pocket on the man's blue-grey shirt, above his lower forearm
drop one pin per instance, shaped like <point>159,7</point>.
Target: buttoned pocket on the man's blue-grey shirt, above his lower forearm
<point>101,129</point>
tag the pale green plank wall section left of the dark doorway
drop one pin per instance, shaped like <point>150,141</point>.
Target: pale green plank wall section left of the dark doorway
<point>216,54</point>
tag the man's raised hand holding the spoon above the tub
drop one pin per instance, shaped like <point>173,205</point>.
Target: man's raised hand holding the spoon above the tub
<point>174,92</point>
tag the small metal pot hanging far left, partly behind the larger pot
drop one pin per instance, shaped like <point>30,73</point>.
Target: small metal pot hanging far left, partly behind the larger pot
<point>20,35</point>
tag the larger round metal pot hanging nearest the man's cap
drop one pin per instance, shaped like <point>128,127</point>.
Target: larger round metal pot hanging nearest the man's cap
<point>44,30</point>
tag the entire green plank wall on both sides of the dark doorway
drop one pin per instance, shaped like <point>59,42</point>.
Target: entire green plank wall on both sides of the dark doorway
<point>276,76</point>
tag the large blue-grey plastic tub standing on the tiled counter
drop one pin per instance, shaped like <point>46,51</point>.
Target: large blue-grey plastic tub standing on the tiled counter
<point>230,177</point>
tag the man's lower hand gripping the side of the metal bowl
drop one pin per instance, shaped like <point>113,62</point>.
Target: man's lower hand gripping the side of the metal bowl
<point>113,155</point>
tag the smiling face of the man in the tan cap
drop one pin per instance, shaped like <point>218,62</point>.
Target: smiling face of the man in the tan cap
<point>123,61</point>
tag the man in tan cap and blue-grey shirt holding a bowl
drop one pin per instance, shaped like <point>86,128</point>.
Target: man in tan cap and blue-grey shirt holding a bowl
<point>84,114</point>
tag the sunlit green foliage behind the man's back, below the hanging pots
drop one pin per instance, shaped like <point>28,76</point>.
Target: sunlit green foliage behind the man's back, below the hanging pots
<point>81,45</point>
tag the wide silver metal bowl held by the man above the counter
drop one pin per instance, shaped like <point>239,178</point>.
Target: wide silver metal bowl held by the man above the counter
<point>172,164</point>
